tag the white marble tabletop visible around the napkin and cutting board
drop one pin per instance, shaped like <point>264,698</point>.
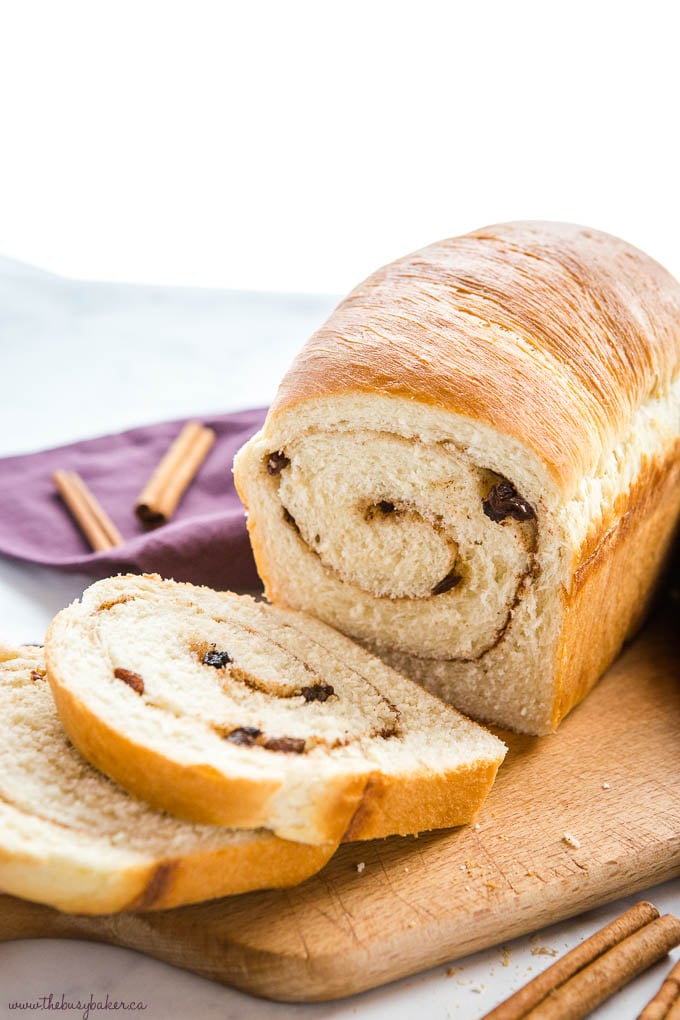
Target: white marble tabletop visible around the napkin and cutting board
<point>80,361</point>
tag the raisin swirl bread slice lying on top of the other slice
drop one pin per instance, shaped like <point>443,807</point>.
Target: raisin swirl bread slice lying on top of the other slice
<point>224,710</point>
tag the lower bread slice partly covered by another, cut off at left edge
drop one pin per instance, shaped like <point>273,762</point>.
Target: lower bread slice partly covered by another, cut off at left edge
<point>72,839</point>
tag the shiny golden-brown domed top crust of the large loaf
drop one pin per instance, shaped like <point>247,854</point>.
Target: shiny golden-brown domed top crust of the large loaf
<point>550,333</point>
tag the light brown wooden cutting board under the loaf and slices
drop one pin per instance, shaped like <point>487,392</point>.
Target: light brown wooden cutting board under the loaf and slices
<point>574,821</point>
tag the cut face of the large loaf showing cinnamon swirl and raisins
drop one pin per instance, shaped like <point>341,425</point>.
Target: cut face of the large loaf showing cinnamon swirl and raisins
<point>431,555</point>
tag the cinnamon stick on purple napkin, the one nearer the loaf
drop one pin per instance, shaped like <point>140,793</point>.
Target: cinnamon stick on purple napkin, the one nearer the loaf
<point>177,471</point>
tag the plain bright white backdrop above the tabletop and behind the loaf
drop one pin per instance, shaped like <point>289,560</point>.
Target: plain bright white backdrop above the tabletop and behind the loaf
<point>300,145</point>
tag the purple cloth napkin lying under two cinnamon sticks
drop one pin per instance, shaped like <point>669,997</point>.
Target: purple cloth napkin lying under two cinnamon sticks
<point>205,543</point>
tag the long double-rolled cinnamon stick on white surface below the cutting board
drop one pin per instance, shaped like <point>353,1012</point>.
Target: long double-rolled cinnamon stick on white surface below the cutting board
<point>576,985</point>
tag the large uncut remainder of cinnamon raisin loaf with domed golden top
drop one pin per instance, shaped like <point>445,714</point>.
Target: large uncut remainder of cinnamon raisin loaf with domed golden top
<point>474,468</point>
